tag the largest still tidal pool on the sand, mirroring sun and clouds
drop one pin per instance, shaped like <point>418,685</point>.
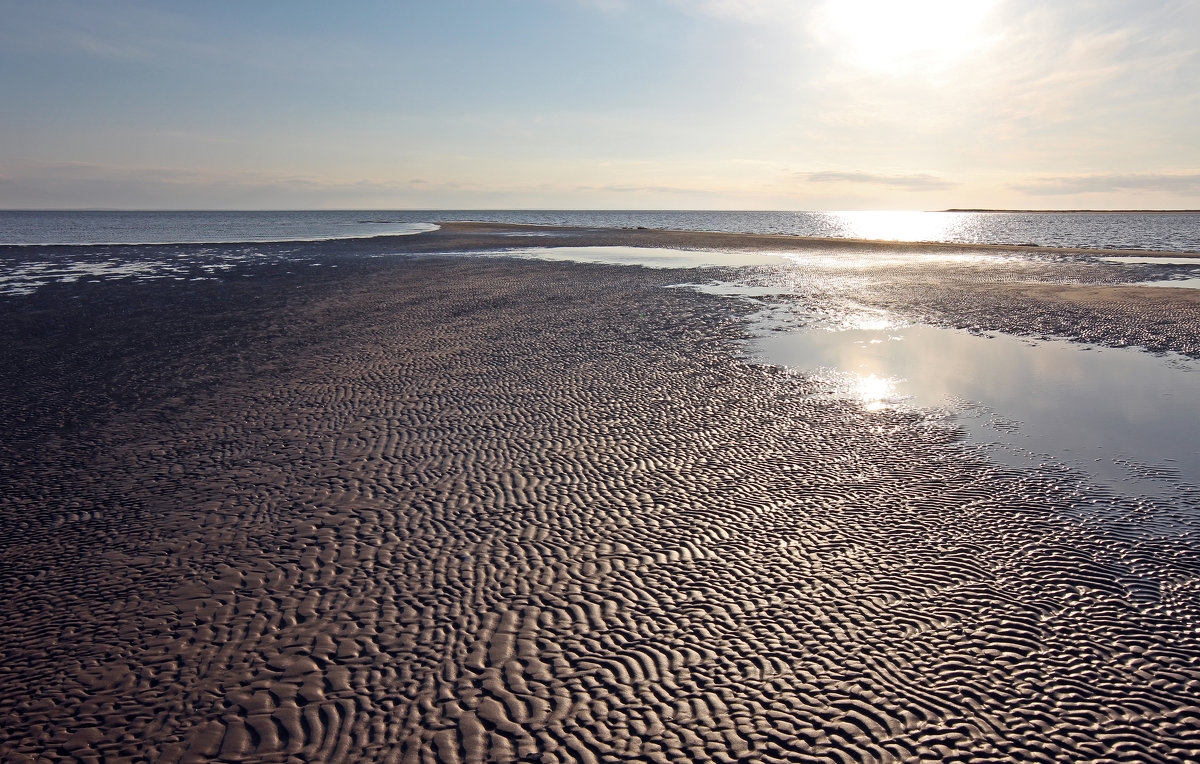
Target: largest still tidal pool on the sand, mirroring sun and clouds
<point>1113,413</point>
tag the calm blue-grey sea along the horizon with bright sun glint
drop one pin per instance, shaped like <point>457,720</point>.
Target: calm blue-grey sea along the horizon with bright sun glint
<point>1119,231</point>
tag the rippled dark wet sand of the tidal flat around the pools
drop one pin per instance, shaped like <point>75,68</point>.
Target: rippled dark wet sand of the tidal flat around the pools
<point>458,510</point>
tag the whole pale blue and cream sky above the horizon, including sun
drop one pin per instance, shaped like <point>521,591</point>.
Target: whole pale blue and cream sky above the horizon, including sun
<point>752,105</point>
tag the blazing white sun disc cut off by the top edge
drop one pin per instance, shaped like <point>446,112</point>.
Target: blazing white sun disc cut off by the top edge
<point>885,37</point>
